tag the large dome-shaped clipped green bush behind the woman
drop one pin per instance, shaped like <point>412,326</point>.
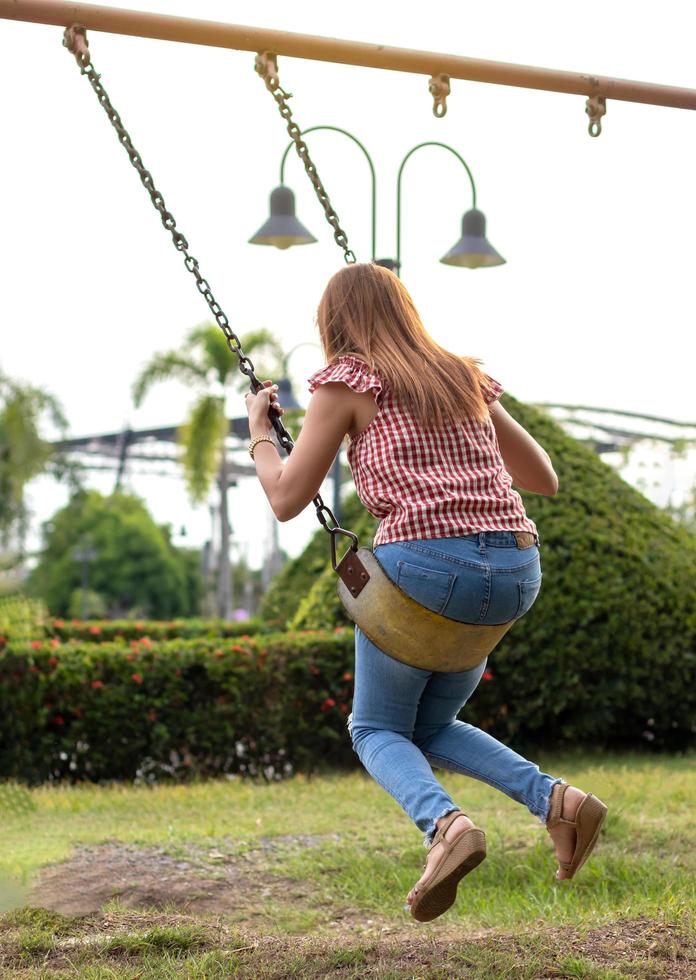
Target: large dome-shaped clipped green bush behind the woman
<point>608,652</point>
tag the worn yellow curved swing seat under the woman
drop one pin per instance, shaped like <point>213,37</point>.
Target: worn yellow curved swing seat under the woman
<point>402,627</point>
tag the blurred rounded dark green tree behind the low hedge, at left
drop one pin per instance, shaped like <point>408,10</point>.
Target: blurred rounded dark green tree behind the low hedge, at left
<point>133,569</point>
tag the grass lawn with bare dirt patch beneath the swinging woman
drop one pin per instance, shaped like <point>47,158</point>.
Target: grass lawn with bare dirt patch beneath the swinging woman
<point>308,878</point>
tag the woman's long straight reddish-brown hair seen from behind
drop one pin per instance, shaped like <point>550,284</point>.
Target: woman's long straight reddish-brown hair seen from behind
<point>366,310</point>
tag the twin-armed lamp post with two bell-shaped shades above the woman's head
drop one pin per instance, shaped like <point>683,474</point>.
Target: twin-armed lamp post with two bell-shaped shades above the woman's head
<point>282,229</point>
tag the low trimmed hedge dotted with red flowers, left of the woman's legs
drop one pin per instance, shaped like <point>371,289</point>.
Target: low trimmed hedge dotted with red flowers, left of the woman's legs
<point>172,709</point>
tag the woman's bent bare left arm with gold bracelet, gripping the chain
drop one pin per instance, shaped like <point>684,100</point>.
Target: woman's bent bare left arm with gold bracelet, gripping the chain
<point>290,486</point>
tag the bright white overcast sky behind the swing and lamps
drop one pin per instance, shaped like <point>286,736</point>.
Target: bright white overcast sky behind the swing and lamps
<point>594,306</point>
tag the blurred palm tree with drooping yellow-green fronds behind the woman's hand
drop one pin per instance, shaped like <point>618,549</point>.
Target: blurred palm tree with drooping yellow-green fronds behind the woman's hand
<point>206,364</point>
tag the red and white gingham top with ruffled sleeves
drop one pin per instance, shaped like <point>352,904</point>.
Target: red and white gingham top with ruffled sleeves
<point>426,483</point>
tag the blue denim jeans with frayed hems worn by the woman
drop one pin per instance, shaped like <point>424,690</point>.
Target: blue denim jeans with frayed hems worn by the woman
<point>404,719</point>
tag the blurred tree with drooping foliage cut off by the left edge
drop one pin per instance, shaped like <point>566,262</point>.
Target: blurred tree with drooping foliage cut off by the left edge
<point>24,453</point>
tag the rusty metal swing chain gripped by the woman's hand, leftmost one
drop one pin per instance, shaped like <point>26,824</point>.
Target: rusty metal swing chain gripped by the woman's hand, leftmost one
<point>75,40</point>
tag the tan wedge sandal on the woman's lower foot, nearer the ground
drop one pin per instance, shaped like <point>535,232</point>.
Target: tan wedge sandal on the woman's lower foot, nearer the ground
<point>460,857</point>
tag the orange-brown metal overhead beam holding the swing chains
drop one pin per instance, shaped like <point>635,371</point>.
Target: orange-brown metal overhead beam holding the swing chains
<point>215,34</point>
